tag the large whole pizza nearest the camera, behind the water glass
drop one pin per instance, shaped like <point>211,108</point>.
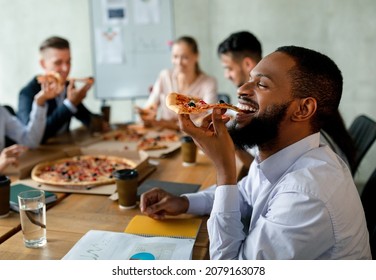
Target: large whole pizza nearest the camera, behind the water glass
<point>83,170</point>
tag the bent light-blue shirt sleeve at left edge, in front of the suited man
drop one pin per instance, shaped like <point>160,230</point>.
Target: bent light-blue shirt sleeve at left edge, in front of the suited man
<point>29,135</point>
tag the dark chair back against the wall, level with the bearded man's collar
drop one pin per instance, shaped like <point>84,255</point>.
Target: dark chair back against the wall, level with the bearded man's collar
<point>363,133</point>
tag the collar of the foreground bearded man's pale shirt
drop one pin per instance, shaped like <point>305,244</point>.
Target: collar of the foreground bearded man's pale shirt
<point>277,164</point>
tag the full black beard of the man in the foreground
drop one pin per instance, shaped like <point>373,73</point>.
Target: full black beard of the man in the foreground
<point>262,130</point>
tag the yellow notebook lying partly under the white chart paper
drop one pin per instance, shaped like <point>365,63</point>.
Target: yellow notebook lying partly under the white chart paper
<point>179,228</point>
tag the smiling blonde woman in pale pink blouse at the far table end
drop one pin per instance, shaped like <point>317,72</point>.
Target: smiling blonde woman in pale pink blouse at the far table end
<point>185,77</point>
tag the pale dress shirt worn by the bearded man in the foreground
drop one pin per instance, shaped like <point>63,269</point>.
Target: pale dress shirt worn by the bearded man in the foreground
<point>300,203</point>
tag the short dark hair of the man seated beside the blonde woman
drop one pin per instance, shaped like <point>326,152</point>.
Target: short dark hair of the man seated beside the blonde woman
<point>240,45</point>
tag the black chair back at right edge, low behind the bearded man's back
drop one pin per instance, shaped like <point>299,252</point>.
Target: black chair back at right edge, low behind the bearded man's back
<point>368,198</point>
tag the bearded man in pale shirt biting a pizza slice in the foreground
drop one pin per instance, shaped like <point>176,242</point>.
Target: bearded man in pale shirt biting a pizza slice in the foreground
<point>299,200</point>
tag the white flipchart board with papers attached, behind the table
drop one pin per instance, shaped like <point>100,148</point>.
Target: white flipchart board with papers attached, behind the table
<point>132,44</point>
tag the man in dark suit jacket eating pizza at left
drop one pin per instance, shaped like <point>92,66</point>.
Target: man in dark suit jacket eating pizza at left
<point>56,57</point>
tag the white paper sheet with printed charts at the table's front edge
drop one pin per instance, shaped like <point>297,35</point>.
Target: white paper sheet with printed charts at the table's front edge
<point>107,245</point>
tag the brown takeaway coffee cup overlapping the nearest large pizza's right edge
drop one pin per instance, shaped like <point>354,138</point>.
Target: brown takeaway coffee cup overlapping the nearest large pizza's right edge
<point>126,185</point>
